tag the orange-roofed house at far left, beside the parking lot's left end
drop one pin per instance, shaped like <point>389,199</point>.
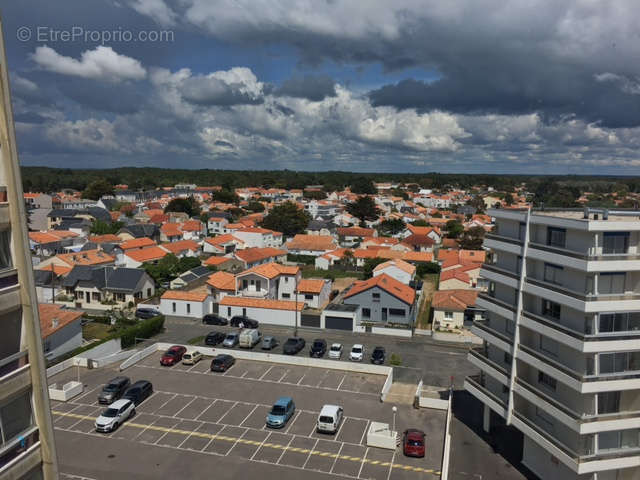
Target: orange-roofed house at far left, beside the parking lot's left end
<point>61,329</point>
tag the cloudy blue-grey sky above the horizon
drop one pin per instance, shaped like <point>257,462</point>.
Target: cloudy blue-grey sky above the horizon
<point>475,86</point>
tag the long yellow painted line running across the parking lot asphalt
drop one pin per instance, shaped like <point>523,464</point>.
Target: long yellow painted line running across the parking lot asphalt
<point>277,446</point>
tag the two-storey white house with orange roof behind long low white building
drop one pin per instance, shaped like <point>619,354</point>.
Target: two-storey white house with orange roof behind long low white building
<point>269,280</point>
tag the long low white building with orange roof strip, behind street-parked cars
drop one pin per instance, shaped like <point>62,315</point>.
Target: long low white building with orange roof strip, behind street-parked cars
<point>267,311</point>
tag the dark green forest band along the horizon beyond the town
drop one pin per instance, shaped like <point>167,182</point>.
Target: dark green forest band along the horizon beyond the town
<point>552,190</point>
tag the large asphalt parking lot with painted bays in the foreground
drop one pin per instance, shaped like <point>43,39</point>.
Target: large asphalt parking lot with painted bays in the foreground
<point>219,419</point>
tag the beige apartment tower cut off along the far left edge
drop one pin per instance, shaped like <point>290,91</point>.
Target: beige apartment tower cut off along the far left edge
<point>26,432</point>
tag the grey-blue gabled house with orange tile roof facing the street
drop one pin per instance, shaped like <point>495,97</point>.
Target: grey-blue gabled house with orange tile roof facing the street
<point>383,300</point>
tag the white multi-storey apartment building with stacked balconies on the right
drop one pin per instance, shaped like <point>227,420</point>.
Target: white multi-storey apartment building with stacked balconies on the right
<point>561,354</point>
